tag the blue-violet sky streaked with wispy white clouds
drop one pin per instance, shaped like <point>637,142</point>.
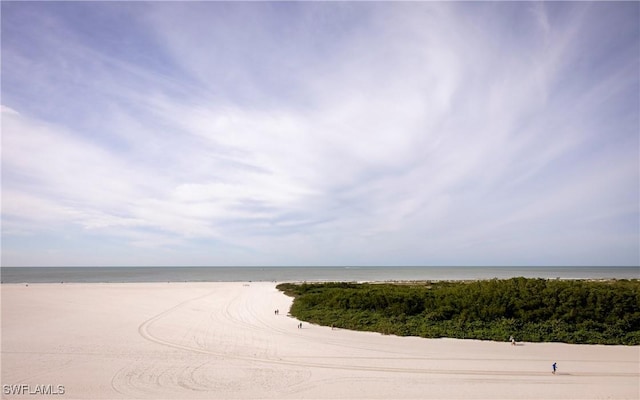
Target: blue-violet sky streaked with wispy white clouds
<point>321,133</point>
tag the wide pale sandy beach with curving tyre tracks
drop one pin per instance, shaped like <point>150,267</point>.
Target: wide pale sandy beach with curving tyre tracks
<point>224,341</point>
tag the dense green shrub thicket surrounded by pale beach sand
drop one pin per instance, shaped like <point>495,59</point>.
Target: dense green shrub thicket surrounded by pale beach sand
<point>532,310</point>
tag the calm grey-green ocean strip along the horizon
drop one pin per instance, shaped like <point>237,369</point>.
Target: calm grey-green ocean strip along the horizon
<point>310,274</point>
